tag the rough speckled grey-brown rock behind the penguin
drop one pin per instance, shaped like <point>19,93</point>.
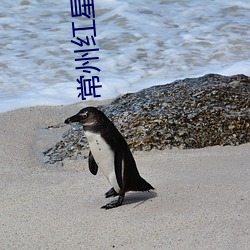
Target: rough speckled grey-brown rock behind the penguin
<point>190,113</point>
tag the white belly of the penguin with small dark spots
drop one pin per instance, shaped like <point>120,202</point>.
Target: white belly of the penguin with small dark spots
<point>104,157</point>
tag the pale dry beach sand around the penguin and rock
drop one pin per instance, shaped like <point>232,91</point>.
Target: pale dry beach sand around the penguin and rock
<point>201,201</point>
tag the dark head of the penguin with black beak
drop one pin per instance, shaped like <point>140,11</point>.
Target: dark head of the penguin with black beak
<point>88,117</point>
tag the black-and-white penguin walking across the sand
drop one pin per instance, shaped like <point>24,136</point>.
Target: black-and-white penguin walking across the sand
<point>110,152</point>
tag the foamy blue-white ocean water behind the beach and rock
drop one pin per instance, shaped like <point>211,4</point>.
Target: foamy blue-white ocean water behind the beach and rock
<point>141,43</point>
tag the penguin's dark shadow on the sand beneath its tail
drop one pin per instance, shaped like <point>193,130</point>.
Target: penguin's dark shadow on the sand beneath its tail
<point>138,198</point>
